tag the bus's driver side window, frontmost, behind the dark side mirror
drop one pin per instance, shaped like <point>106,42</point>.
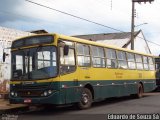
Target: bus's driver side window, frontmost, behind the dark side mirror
<point>67,62</point>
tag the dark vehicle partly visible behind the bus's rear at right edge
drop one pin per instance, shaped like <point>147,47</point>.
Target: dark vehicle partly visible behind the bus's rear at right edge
<point>157,62</point>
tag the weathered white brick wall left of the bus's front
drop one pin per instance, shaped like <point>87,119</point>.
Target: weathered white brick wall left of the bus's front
<point>7,35</point>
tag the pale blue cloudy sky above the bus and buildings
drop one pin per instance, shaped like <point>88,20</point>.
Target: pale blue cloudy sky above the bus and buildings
<point>26,16</point>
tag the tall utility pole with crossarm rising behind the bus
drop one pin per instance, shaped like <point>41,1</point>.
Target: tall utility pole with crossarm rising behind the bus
<point>132,22</point>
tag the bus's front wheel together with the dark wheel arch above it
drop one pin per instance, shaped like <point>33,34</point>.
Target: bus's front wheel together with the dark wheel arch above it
<point>86,97</point>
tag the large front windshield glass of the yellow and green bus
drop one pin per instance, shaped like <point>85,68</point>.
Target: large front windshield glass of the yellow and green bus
<point>34,63</point>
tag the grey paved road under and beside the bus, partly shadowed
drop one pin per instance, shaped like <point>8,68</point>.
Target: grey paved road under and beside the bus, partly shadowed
<point>149,104</point>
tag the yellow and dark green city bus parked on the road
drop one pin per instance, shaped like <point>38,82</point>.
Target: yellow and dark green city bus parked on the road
<point>58,69</point>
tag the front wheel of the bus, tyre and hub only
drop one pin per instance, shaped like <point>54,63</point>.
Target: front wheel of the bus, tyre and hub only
<point>86,99</point>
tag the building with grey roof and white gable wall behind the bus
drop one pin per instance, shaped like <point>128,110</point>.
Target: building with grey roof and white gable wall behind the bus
<point>121,40</point>
